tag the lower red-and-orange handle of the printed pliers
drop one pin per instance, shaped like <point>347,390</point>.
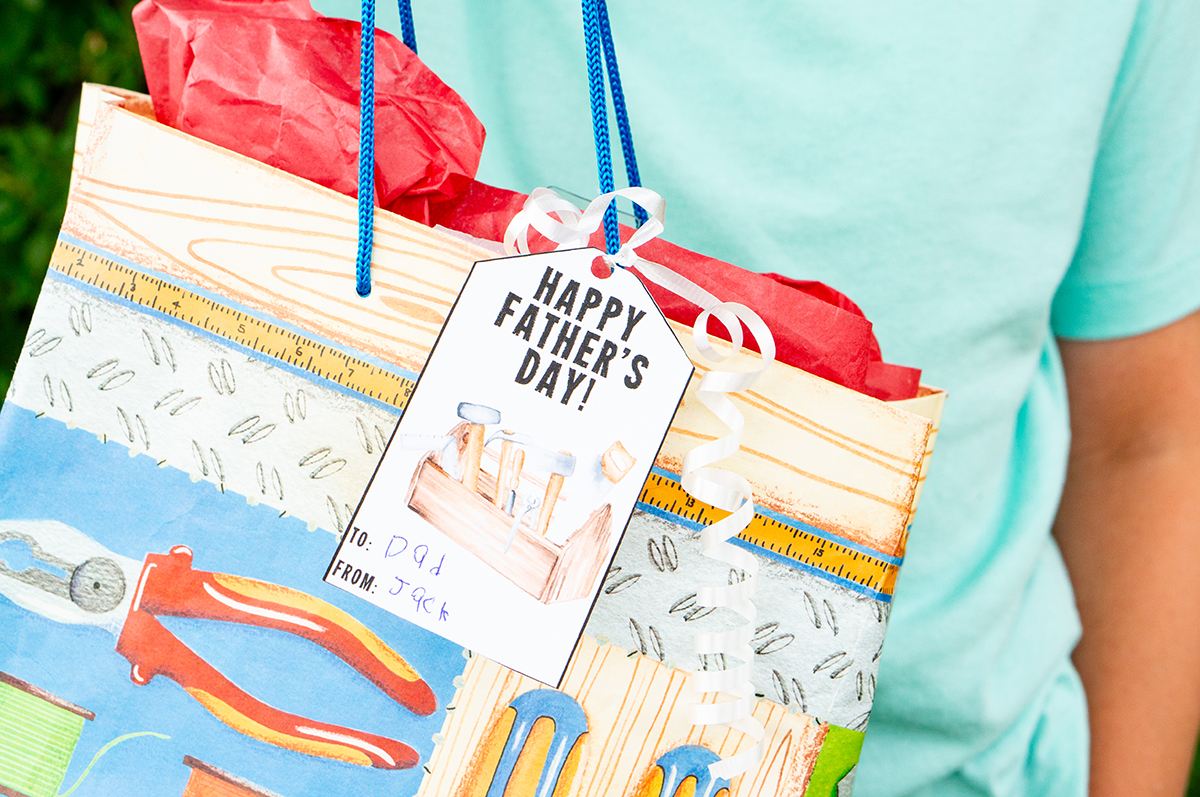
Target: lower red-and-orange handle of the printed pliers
<point>153,650</point>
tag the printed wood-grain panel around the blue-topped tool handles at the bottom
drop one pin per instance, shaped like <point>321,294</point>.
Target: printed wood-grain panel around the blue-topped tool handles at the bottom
<point>638,710</point>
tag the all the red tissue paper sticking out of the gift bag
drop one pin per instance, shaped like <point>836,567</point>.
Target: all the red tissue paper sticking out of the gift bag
<point>277,82</point>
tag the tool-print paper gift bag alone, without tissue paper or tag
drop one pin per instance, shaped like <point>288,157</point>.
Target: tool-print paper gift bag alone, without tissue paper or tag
<point>200,406</point>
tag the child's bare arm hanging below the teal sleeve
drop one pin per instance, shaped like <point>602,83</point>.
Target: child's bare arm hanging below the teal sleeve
<point>1130,531</point>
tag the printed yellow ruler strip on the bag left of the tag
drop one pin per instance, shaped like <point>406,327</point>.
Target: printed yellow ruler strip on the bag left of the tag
<point>233,325</point>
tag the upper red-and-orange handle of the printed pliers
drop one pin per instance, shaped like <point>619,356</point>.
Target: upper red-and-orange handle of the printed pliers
<point>171,588</point>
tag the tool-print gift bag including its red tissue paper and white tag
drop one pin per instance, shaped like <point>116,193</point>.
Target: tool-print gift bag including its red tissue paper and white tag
<point>206,414</point>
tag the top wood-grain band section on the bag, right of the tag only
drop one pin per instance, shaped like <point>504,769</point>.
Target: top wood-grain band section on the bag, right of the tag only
<point>814,451</point>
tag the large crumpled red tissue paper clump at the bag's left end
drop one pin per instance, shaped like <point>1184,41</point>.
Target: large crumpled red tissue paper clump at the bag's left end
<point>277,82</point>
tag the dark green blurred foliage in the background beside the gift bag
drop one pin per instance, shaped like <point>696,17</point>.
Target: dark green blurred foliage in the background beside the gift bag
<point>47,50</point>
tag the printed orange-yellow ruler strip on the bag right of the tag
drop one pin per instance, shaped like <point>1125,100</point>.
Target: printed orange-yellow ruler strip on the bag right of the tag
<point>872,574</point>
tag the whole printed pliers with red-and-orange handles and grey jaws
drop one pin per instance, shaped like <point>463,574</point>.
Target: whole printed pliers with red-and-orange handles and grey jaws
<point>128,597</point>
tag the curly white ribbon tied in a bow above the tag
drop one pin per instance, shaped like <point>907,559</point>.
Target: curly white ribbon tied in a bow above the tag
<point>722,489</point>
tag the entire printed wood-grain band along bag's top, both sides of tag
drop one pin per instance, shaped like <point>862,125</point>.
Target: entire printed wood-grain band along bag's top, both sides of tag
<point>814,451</point>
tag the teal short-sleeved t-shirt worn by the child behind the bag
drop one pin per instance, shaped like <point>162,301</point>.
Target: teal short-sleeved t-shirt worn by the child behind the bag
<point>980,178</point>
